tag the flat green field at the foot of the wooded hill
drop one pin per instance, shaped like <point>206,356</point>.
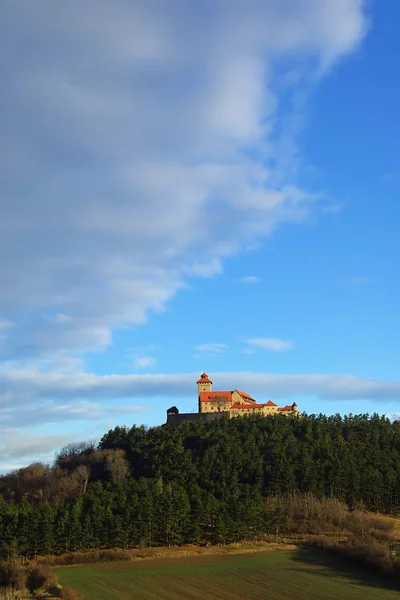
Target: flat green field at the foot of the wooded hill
<point>299,575</point>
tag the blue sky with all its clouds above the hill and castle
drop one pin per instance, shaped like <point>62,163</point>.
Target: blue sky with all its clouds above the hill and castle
<point>186,189</point>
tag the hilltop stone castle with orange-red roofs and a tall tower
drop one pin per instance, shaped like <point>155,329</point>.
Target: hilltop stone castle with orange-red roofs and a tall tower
<point>226,404</point>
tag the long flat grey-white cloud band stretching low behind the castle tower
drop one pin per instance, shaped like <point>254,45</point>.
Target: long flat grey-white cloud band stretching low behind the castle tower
<point>35,389</point>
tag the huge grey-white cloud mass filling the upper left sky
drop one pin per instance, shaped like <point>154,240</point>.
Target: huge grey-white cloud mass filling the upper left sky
<point>129,121</point>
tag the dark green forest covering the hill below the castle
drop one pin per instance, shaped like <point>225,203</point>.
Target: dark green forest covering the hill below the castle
<point>197,483</point>
